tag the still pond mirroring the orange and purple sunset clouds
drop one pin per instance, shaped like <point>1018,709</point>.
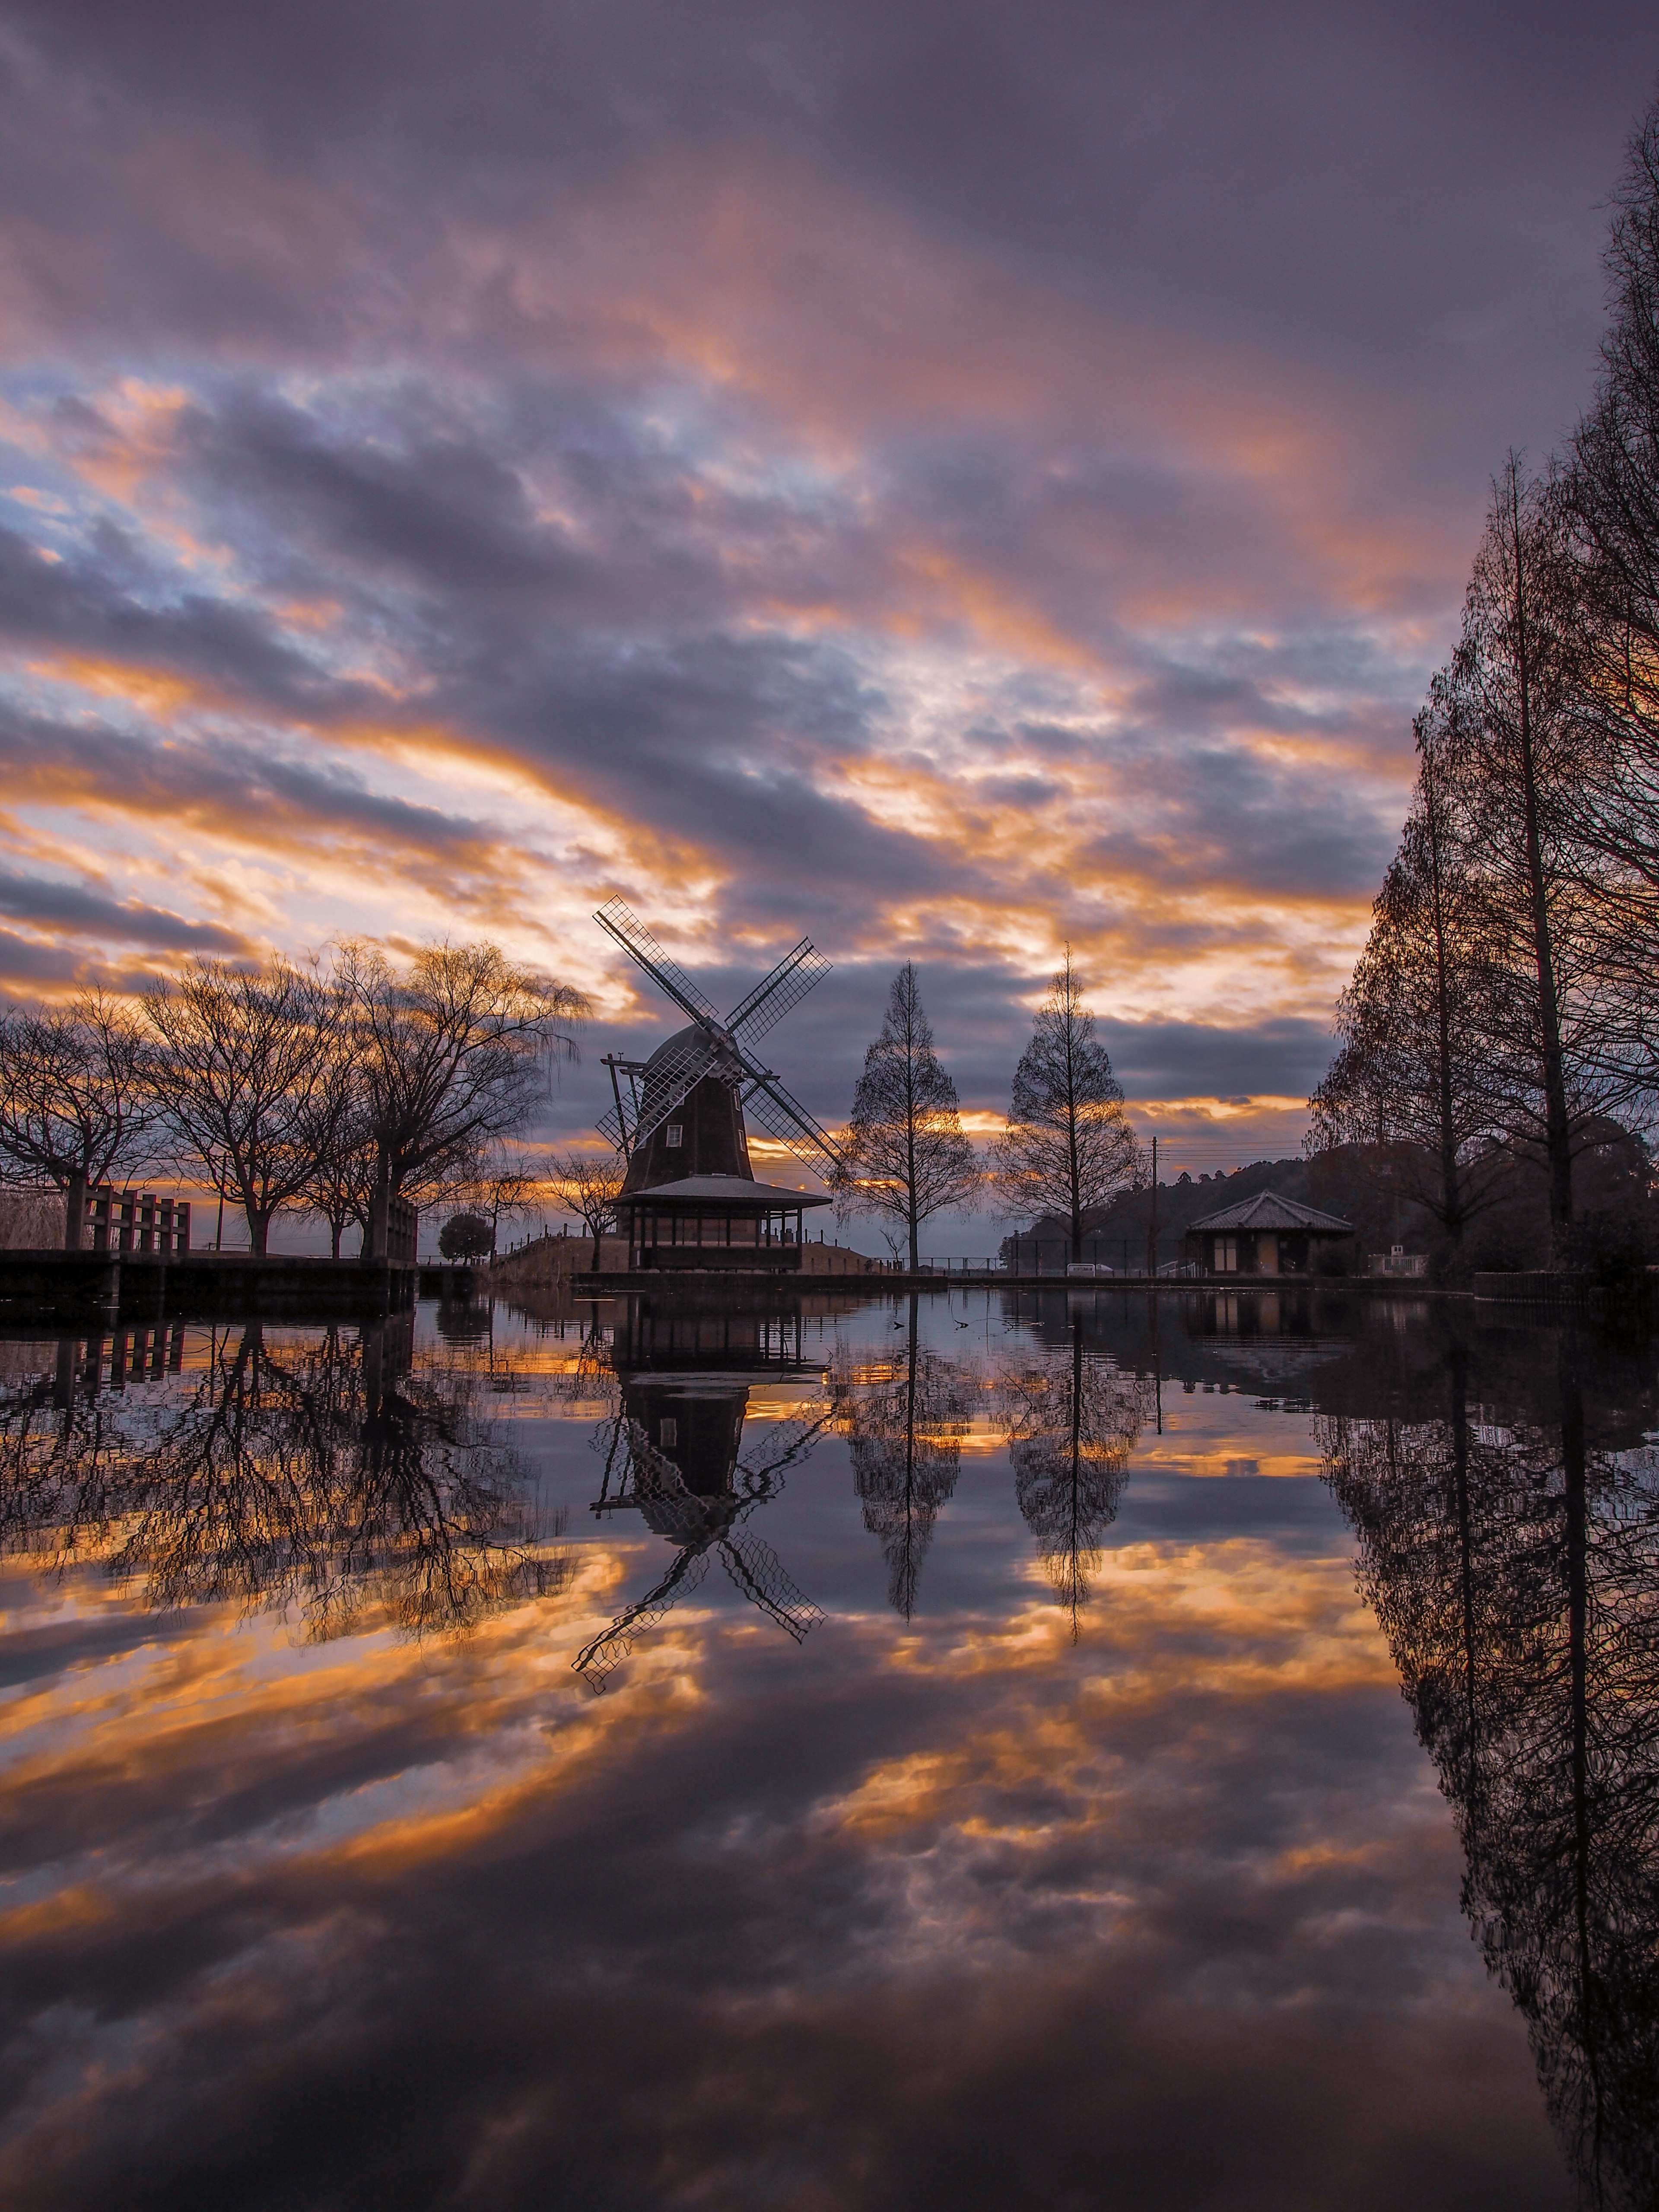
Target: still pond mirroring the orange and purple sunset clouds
<point>968,1751</point>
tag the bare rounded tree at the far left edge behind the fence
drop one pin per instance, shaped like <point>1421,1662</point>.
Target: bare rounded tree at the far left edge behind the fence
<point>74,1098</point>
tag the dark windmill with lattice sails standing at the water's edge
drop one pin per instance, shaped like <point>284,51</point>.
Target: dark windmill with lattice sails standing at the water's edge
<point>691,1198</point>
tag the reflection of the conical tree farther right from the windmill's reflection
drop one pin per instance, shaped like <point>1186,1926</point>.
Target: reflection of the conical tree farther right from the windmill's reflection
<point>1074,1419</point>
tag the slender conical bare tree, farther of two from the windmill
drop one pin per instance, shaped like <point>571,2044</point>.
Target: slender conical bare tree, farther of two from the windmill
<point>1067,1147</point>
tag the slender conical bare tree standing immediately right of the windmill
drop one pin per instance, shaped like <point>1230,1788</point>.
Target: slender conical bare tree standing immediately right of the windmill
<point>906,1151</point>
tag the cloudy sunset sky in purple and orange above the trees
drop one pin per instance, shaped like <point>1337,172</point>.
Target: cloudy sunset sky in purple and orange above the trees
<point>950,479</point>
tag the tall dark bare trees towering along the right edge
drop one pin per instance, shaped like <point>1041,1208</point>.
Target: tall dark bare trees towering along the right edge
<point>1543,735</point>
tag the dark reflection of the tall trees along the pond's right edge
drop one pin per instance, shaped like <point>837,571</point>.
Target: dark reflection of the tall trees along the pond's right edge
<point>1516,1574</point>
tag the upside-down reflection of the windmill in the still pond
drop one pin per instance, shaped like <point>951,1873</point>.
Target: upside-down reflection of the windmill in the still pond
<point>674,1452</point>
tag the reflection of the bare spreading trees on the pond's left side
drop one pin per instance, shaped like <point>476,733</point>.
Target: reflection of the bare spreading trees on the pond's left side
<point>317,1477</point>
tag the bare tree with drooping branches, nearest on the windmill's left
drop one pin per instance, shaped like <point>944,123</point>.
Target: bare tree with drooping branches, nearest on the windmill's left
<point>450,1056</point>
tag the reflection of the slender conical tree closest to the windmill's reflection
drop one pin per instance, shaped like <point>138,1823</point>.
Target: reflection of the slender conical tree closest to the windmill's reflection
<point>906,1419</point>
